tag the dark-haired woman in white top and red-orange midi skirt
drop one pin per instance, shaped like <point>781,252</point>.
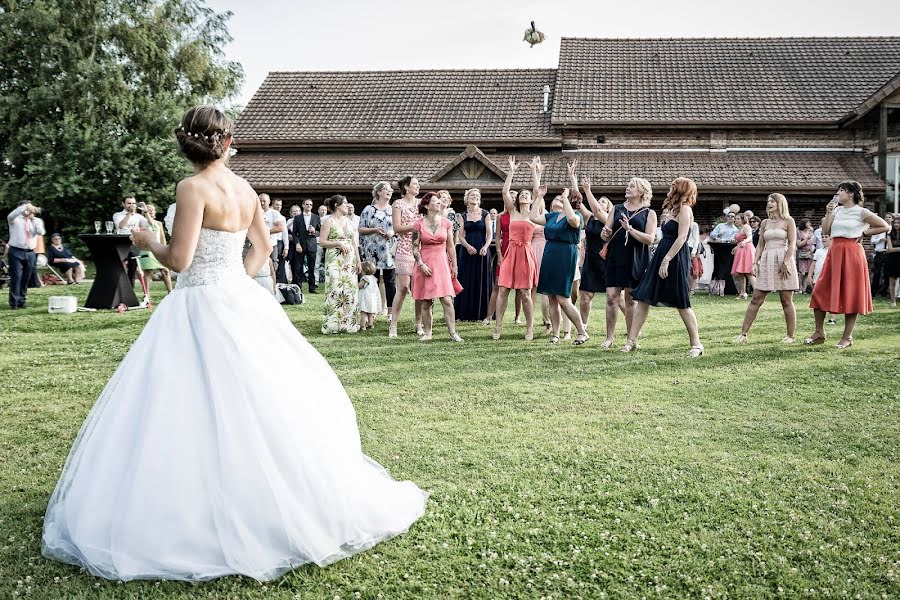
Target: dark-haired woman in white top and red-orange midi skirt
<point>843,286</point>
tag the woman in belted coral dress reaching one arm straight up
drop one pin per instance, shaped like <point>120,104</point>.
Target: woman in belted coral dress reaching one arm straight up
<point>517,271</point>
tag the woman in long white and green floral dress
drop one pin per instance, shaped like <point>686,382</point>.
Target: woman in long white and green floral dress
<point>342,265</point>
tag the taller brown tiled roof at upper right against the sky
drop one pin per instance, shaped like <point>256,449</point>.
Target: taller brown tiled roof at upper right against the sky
<point>712,80</point>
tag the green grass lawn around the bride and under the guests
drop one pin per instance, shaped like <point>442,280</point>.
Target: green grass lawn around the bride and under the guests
<point>555,471</point>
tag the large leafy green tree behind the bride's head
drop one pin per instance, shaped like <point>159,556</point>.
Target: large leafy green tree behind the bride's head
<point>90,94</point>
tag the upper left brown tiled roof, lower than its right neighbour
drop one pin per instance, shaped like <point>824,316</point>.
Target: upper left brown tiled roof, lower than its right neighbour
<point>418,106</point>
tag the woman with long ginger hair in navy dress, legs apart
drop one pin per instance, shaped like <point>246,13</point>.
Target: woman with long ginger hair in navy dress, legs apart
<point>666,281</point>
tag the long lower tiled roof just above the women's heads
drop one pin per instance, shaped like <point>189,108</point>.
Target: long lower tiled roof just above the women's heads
<point>753,171</point>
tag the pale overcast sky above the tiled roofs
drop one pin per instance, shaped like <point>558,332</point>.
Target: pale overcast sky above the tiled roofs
<point>350,35</point>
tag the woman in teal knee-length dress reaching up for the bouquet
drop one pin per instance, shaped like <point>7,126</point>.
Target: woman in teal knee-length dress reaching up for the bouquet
<point>562,230</point>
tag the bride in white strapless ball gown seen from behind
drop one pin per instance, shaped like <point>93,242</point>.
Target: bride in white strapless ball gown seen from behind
<point>216,470</point>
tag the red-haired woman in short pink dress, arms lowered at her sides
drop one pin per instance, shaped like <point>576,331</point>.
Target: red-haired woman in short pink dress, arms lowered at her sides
<point>434,255</point>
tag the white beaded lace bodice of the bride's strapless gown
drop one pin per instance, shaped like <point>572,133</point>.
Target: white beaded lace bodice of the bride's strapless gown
<point>218,257</point>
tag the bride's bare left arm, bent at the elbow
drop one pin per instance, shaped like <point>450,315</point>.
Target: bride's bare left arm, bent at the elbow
<point>179,253</point>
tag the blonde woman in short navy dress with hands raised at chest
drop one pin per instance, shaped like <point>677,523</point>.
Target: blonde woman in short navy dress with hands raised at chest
<point>629,231</point>
